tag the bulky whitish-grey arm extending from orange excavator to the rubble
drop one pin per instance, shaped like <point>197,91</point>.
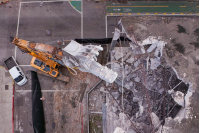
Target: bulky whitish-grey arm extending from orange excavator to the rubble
<point>84,58</point>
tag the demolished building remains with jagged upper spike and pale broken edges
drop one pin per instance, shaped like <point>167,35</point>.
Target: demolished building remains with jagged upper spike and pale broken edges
<point>148,94</point>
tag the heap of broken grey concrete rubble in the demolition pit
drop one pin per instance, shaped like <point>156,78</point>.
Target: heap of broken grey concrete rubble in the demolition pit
<point>151,89</point>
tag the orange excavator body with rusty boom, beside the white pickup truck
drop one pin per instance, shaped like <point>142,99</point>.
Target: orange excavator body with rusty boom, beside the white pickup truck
<point>45,57</point>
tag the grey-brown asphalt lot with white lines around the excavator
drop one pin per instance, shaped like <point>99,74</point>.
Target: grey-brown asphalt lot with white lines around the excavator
<point>64,21</point>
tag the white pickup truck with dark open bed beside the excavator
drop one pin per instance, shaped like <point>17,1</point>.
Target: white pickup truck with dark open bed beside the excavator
<point>15,71</point>
